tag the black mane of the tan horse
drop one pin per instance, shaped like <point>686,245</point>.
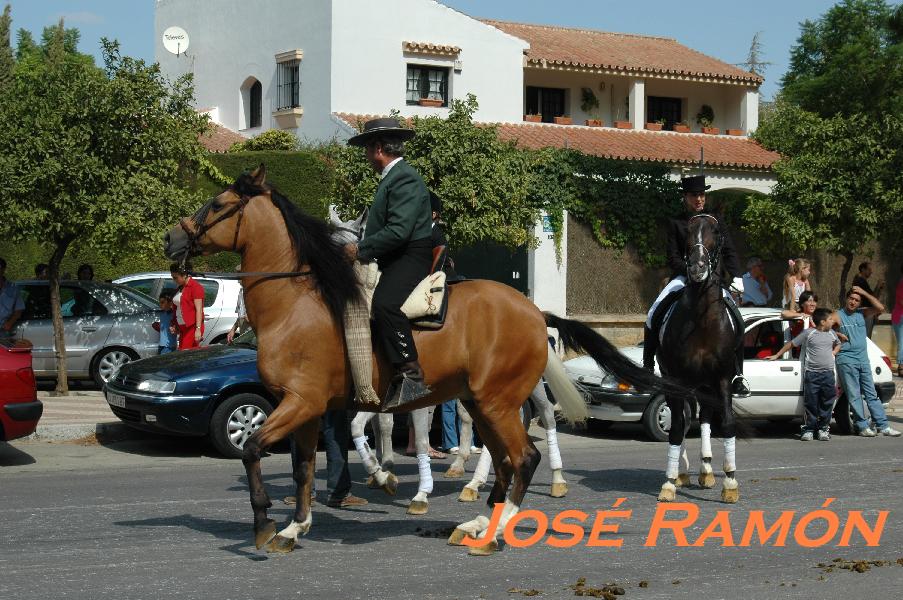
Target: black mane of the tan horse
<point>334,276</point>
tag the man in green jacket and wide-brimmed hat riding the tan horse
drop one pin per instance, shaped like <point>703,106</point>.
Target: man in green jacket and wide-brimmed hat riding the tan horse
<point>398,237</point>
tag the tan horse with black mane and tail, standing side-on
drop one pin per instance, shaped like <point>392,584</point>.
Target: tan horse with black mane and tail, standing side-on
<point>490,353</point>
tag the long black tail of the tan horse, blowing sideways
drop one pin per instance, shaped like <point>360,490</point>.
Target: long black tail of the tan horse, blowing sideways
<point>578,337</point>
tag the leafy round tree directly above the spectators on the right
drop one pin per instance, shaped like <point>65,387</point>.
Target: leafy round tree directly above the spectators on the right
<point>839,183</point>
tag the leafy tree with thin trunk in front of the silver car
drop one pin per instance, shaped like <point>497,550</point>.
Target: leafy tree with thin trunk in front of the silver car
<point>93,157</point>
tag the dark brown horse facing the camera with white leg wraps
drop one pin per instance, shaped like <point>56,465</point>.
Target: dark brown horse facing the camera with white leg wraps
<point>698,348</point>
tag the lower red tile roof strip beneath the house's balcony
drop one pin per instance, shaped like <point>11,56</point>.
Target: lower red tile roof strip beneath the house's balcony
<point>625,144</point>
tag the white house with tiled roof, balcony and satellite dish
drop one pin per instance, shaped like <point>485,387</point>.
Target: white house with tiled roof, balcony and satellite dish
<point>312,66</point>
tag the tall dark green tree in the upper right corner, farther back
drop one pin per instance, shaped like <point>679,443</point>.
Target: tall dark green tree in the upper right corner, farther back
<point>848,62</point>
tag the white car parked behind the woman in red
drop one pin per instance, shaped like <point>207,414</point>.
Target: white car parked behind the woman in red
<point>220,300</point>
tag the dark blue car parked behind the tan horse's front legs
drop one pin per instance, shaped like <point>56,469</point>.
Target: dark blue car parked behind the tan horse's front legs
<point>214,392</point>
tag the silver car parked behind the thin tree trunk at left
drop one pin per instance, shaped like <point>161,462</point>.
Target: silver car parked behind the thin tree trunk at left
<point>105,326</point>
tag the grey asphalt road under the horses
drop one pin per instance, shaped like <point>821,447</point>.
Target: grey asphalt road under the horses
<point>153,517</point>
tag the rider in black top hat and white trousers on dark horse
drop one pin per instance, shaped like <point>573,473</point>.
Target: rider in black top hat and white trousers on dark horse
<point>694,201</point>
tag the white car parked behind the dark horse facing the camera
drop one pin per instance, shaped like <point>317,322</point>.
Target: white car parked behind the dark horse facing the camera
<point>776,385</point>
